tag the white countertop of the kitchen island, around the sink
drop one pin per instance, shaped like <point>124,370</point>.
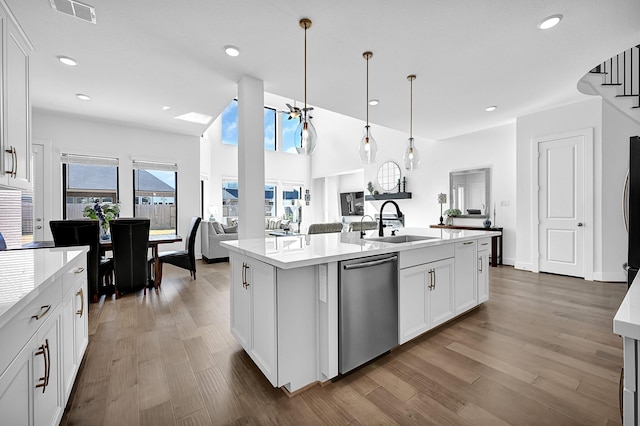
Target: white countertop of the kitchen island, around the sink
<point>304,250</point>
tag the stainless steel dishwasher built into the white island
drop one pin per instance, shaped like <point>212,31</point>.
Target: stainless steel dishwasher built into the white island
<point>368,309</point>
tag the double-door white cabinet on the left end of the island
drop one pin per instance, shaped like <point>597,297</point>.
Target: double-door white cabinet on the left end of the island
<point>253,311</point>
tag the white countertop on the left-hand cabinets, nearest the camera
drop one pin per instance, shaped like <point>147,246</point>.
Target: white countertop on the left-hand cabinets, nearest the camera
<point>26,273</point>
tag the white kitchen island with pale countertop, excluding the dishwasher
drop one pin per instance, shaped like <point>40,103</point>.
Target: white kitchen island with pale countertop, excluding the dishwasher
<point>284,293</point>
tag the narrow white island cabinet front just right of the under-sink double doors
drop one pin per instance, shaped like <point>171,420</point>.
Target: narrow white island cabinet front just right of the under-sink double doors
<point>465,276</point>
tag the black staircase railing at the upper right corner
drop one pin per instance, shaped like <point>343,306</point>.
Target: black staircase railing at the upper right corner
<point>623,70</point>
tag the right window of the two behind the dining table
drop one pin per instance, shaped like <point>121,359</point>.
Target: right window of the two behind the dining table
<point>155,195</point>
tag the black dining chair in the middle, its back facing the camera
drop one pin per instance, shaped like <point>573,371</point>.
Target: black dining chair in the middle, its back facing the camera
<point>130,245</point>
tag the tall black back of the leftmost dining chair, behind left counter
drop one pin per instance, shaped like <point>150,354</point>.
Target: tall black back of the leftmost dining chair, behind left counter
<point>81,232</point>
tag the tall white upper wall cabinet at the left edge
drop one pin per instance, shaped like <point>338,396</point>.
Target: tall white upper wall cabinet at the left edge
<point>15,120</point>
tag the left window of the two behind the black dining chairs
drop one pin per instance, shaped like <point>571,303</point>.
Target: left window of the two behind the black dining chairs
<point>86,181</point>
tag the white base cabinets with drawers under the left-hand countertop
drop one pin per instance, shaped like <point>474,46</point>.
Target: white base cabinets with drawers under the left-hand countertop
<point>44,345</point>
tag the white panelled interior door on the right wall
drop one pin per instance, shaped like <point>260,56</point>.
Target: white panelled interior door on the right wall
<point>561,205</point>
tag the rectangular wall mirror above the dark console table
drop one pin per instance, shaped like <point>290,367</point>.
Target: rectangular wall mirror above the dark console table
<point>469,191</point>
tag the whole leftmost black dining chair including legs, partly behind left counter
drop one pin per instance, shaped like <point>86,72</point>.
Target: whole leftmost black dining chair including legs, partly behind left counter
<point>85,232</point>
